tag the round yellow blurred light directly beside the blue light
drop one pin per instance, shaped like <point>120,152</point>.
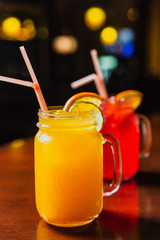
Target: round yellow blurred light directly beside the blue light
<point>108,35</point>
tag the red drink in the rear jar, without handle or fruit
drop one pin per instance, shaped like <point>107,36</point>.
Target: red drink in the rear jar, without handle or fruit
<point>121,122</point>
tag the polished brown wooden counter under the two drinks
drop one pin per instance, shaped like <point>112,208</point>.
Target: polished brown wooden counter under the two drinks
<point>133,213</point>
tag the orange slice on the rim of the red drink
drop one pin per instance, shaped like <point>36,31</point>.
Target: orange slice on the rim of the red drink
<point>133,95</point>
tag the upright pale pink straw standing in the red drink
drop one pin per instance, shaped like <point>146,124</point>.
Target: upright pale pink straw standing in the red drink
<point>100,82</point>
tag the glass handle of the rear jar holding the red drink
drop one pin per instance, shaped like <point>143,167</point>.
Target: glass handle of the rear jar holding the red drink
<point>146,133</point>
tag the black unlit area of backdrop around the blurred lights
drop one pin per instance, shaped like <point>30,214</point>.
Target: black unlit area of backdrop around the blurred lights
<point>55,72</point>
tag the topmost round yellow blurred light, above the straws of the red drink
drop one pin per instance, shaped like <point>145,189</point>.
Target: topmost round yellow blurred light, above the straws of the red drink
<point>95,18</point>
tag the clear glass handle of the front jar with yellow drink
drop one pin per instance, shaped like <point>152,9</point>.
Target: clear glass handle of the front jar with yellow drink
<point>112,187</point>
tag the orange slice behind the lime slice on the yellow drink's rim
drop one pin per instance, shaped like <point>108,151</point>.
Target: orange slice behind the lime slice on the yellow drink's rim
<point>83,96</point>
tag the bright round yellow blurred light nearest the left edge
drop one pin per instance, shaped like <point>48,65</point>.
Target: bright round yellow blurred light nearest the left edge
<point>11,26</point>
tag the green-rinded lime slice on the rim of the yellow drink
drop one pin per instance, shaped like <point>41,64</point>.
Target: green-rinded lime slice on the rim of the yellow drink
<point>82,106</point>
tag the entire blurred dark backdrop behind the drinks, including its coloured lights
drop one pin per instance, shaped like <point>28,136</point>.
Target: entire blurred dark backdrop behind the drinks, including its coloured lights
<point>58,37</point>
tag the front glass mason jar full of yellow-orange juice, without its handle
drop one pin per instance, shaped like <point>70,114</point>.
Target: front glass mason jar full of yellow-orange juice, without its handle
<point>68,167</point>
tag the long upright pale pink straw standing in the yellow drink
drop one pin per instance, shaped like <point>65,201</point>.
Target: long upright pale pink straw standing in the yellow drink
<point>38,91</point>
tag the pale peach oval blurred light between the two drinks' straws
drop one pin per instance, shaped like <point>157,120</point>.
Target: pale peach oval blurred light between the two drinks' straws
<point>65,44</point>
